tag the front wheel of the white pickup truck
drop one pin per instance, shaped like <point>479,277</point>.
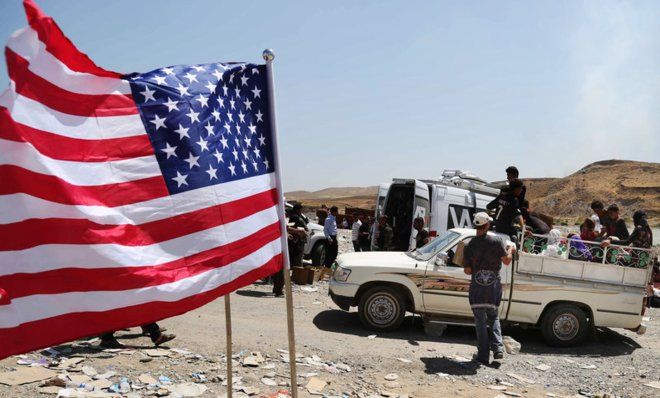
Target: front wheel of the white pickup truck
<point>381,308</point>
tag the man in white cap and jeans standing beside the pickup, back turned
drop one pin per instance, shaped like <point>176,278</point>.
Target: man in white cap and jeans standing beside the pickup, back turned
<point>483,258</point>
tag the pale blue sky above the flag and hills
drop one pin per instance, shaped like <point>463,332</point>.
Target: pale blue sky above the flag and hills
<point>371,90</point>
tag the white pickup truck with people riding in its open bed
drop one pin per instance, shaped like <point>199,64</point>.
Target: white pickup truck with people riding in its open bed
<point>565,295</point>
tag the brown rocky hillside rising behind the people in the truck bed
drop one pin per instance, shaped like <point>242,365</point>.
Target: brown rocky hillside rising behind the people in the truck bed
<point>631,185</point>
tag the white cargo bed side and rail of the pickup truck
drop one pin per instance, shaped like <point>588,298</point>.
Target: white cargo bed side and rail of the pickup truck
<point>585,260</point>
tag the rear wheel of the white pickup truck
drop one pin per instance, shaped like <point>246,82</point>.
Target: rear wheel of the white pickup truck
<point>564,325</point>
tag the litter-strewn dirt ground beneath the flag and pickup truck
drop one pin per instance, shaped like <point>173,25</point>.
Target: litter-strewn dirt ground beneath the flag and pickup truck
<point>334,348</point>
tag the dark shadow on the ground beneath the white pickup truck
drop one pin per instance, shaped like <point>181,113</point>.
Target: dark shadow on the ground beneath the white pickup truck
<point>605,342</point>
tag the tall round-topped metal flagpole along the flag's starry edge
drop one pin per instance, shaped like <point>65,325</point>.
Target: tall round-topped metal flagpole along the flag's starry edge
<point>269,56</point>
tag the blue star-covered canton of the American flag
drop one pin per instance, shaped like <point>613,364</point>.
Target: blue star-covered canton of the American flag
<point>208,124</point>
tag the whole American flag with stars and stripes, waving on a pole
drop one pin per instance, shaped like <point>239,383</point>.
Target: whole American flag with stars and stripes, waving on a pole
<point>126,199</point>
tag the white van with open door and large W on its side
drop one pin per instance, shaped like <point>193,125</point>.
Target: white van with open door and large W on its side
<point>446,203</point>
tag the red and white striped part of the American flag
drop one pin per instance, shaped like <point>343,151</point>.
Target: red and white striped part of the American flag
<point>90,240</point>
